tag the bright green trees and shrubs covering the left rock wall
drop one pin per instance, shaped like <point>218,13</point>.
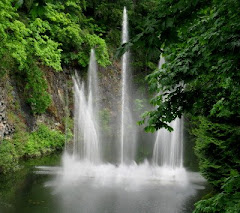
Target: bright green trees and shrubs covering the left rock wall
<point>35,35</point>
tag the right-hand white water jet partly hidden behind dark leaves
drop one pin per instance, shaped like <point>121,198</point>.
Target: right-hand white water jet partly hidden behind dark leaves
<point>168,147</point>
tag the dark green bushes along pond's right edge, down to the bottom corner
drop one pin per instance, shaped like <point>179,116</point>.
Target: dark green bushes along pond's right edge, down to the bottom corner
<point>218,150</point>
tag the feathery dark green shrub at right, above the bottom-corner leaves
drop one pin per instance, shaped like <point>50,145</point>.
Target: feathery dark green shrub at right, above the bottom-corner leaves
<point>217,147</point>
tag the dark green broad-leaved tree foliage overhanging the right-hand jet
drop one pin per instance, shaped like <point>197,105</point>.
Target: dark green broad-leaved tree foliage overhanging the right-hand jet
<point>201,74</point>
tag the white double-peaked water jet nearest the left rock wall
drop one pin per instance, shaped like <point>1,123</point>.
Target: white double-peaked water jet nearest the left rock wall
<point>86,134</point>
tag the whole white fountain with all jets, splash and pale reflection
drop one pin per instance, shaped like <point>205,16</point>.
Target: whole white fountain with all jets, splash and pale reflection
<point>84,182</point>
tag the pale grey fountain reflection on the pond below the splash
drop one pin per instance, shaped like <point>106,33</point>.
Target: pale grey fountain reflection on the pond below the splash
<point>150,198</point>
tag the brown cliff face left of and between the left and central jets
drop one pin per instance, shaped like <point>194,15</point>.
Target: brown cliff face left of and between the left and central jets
<point>13,104</point>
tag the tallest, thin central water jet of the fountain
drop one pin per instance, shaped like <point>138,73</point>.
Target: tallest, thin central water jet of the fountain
<point>128,132</point>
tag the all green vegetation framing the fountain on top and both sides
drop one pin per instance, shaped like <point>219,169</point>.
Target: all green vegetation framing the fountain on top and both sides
<point>199,39</point>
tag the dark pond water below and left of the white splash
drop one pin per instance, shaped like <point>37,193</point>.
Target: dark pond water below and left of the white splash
<point>28,192</point>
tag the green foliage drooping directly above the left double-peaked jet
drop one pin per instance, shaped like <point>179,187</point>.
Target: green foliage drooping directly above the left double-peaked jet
<point>70,28</point>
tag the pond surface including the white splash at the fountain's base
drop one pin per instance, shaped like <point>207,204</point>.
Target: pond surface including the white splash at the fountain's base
<point>81,187</point>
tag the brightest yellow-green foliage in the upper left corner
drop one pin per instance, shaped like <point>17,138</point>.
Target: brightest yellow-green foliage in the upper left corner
<point>27,43</point>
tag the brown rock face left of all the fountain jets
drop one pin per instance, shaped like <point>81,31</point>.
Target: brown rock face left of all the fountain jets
<point>16,112</point>
